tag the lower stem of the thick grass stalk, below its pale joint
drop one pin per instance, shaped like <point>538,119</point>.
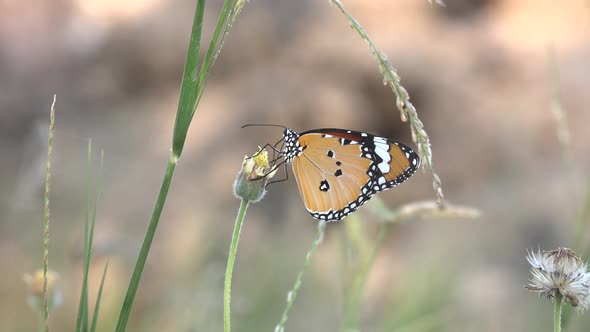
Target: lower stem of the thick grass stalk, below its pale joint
<point>145,248</point>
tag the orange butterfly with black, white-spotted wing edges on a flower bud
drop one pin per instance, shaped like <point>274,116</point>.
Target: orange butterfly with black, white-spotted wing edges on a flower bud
<point>339,170</point>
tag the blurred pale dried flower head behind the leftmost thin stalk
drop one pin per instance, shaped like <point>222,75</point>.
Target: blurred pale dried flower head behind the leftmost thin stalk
<point>35,282</point>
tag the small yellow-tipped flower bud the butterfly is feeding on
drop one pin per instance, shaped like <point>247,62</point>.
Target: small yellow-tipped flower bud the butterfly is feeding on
<point>251,181</point>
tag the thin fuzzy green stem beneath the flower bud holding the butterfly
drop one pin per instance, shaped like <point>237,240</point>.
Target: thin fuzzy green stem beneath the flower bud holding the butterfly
<point>230,265</point>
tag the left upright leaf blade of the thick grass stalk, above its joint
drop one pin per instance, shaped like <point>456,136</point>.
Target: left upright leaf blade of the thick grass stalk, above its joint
<point>188,90</point>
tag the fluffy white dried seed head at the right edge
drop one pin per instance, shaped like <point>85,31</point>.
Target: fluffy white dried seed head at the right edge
<point>560,270</point>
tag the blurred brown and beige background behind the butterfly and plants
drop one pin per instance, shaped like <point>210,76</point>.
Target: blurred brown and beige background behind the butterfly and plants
<point>478,72</point>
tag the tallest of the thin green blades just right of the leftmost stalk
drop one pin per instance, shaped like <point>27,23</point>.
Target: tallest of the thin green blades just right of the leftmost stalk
<point>82,319</point>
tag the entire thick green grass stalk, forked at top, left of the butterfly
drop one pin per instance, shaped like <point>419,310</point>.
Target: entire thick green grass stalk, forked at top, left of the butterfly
<point>193,84</point>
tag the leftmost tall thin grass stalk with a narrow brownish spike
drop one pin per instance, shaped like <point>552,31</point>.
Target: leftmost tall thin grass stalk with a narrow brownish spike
<point>46,213</point>
